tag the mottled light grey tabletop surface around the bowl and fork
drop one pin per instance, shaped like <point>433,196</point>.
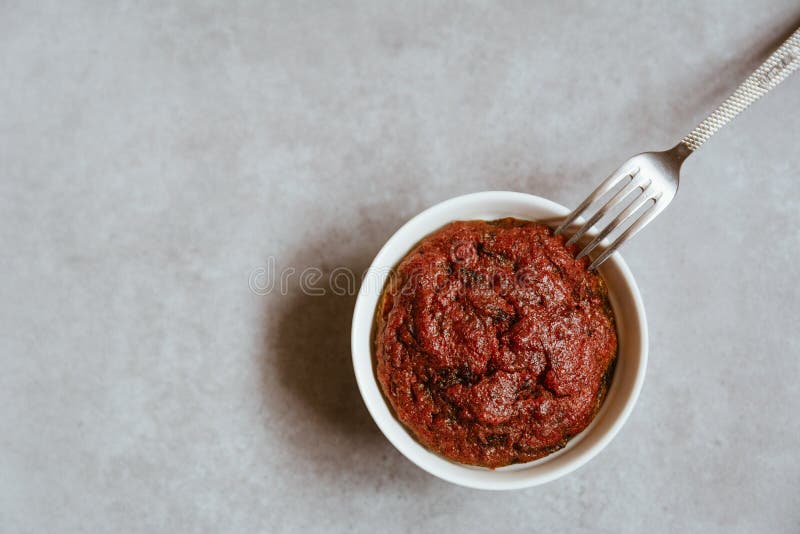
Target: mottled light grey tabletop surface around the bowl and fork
<point>153,154</point>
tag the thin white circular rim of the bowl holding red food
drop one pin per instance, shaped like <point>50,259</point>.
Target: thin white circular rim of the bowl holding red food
<point>461,474</point>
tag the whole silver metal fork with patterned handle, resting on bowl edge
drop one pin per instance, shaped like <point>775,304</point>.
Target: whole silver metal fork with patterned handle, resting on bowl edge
<point>656,174</point>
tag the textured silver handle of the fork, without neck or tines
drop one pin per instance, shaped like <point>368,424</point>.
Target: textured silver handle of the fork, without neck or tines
<point>777,67</point>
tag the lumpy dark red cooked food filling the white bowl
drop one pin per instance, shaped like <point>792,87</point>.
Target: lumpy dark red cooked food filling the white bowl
<point>494,345</point>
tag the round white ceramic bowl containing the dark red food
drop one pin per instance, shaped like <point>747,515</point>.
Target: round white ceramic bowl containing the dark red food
<point>625,386</point>
